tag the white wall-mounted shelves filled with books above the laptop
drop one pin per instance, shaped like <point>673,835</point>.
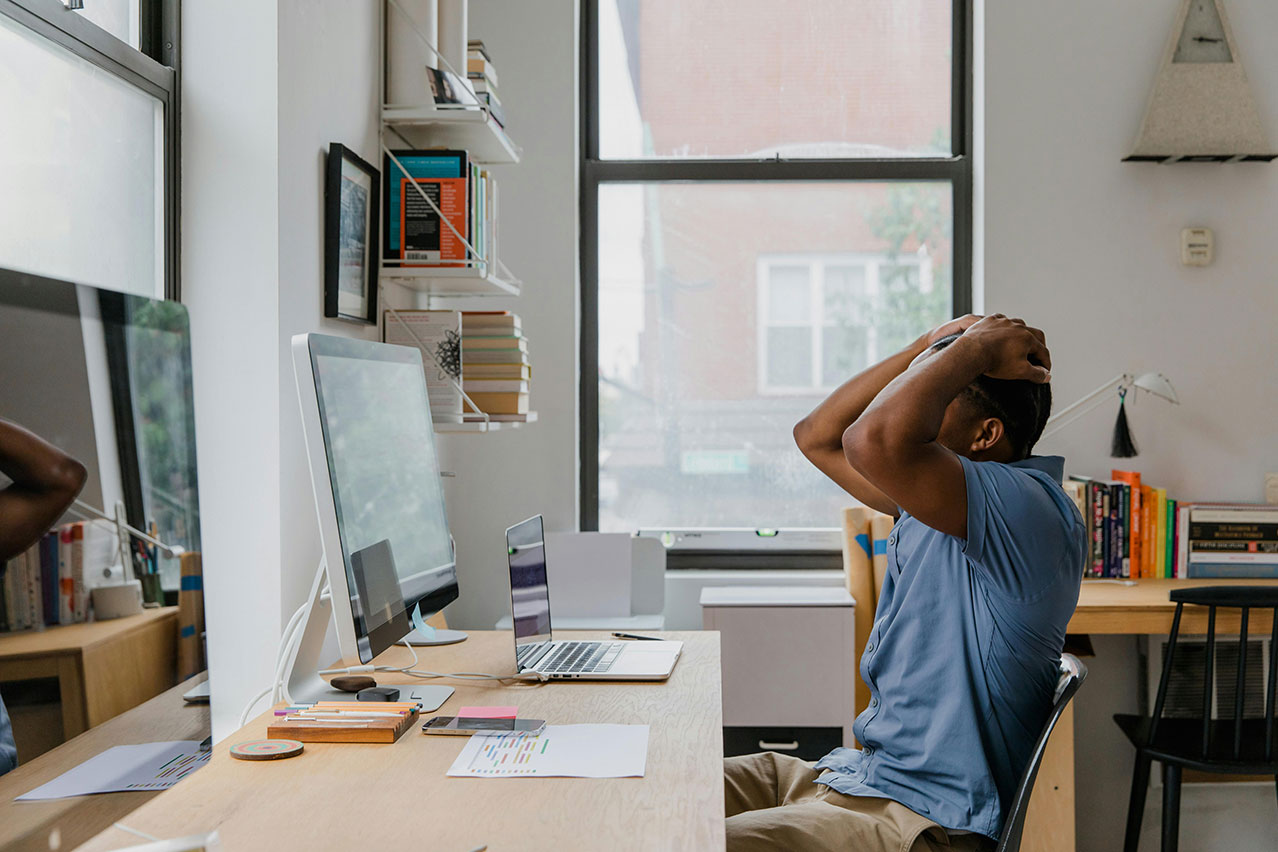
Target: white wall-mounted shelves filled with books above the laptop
<point>442,131</point>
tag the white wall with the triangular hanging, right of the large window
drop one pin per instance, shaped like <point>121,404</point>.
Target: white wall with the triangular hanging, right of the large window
<point>1086,247</point>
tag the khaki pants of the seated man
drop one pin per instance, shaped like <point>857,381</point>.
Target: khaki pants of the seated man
<point>774,803</point>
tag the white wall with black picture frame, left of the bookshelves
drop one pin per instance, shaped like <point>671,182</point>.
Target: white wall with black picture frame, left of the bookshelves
<point>259,118</point>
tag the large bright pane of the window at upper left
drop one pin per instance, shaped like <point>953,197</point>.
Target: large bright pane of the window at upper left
<point>82,185</point>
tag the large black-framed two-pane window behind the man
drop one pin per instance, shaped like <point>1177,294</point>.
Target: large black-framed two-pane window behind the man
<point>775,196</point>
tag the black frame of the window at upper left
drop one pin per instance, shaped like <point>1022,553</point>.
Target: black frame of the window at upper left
<point>153,68</point>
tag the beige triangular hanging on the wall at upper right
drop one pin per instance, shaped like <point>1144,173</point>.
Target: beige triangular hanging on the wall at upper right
<point>1202,109</point>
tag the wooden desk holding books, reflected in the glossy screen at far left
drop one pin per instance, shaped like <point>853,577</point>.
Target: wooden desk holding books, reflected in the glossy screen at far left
<point>103,667</point>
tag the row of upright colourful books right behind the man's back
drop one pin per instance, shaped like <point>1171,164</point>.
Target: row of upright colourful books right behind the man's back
<point>1133,528</point>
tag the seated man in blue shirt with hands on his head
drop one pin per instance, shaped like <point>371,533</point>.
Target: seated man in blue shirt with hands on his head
<point>985,565</point>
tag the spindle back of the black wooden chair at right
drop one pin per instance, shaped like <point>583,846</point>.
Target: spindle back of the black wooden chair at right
<point>1245,598</point>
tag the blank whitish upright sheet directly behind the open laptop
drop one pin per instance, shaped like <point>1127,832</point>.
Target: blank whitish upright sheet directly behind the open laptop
<point>589,574</point>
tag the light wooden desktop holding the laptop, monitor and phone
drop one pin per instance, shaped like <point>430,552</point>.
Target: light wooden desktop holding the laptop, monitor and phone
<point>398,796</point>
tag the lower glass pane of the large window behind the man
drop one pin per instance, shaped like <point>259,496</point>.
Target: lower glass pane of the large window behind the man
<point>691,369</point>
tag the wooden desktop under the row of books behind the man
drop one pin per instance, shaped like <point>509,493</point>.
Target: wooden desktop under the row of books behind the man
<point>1147,609</point>
